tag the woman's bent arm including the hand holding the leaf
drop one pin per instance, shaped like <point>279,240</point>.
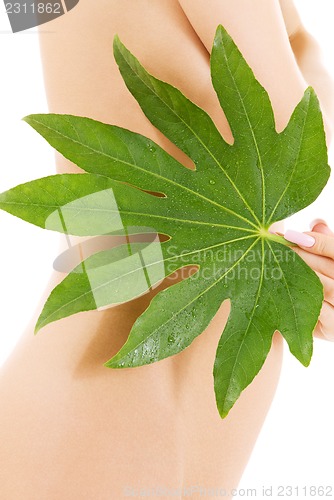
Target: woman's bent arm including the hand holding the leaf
<point>285,59</point>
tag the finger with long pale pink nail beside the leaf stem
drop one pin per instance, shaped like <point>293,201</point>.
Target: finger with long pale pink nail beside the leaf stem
<point>313,242</point>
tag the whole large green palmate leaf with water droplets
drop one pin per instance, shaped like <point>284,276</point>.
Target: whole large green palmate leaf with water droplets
<point>216,217</point>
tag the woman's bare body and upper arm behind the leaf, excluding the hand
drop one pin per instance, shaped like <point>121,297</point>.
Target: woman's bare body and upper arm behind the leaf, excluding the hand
<point>70,427</point>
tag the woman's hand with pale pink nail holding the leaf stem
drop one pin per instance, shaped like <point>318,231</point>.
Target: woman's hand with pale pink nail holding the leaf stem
<point>316,248</point>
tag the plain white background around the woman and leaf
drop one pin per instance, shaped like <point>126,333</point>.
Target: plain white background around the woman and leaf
<point>296,444</point>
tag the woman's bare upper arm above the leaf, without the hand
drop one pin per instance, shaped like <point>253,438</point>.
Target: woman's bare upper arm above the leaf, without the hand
<point>260,30</point>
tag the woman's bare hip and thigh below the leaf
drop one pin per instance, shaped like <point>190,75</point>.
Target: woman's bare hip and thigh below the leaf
<point>71,428</point>
